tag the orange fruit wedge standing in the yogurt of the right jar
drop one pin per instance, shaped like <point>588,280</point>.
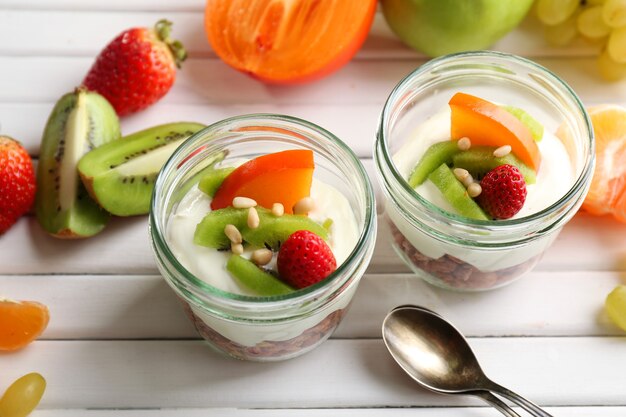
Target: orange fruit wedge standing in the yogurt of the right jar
<point>488,124</point>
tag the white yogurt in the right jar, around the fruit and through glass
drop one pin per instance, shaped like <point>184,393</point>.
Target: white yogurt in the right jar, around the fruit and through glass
<point>554,179</point>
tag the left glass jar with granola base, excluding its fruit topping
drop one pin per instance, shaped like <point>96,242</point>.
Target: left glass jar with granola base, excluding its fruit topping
<point>263,328</point>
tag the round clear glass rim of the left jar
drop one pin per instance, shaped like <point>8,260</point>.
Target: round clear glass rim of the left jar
<point>308,294</point>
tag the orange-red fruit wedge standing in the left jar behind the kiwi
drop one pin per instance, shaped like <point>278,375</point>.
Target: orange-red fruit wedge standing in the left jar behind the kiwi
<point>281,177</point>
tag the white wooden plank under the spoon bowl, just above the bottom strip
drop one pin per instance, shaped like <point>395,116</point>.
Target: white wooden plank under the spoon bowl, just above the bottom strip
<point>354,373</point>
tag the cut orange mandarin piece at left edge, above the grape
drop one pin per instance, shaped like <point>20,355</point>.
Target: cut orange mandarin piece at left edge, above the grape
<point>21,322</point>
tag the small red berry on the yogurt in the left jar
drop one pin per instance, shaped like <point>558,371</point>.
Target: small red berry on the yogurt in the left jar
<point>304,259</point>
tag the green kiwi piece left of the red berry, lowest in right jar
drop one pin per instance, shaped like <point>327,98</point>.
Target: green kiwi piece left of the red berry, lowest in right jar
<point>454,191</point>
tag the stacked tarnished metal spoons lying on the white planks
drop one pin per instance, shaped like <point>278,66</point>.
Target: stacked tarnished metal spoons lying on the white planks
<point>436,355</point>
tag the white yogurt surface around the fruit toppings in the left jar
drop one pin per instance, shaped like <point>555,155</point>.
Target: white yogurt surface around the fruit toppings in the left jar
<point>210,265</point>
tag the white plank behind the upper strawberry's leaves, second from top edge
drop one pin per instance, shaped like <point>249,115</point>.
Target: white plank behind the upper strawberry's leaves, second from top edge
<point>87,30</point>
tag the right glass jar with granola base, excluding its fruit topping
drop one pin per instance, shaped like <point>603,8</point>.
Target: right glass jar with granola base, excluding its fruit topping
<point>452,251</point>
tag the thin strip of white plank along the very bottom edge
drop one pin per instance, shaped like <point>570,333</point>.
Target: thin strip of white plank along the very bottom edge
<point>351,412</point>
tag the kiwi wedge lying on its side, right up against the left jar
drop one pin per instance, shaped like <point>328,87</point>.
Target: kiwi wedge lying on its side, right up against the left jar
<point>120,175</point>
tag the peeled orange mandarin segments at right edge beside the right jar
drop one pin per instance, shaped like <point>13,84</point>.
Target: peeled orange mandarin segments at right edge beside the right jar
<point>608,185</point>
